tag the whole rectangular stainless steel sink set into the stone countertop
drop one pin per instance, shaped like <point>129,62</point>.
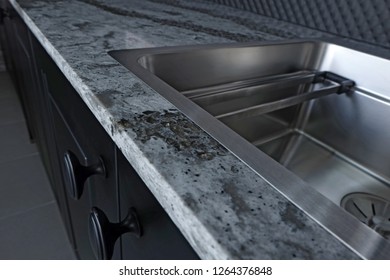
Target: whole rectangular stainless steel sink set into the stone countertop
<point>309,117</point>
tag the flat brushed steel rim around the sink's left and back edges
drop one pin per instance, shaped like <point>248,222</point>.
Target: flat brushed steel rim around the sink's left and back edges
<point>330,216</point>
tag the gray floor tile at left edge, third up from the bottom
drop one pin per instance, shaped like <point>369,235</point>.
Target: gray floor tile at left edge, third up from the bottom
<point>14,142</point>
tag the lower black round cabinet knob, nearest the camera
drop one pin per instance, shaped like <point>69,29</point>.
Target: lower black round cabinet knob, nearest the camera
<point>103,234</point>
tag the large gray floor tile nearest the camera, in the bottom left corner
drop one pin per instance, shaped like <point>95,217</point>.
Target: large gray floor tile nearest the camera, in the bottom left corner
<point>37,234</point>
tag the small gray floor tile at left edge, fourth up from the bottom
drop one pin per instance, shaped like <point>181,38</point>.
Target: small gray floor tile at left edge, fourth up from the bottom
<point>10,110</point>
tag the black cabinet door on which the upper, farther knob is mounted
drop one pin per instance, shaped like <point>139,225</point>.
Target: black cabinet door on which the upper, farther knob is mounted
<point>94,148</point>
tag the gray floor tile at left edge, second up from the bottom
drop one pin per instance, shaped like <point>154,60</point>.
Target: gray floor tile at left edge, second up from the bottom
<point>23,185</point>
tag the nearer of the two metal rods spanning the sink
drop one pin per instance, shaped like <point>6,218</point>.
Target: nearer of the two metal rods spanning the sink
<point>279,104</point>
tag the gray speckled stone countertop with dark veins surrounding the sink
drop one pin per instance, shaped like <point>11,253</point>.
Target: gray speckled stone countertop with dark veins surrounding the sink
<point>221,206</point>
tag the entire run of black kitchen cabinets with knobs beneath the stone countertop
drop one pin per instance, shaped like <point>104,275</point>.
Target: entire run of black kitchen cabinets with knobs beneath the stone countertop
<point>107,209</point>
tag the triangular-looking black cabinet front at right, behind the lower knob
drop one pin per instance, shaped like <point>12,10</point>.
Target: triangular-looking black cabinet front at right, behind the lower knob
<point>160,238</point>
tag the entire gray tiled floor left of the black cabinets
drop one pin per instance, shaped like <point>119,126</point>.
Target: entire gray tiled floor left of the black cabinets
<point>30,223</point>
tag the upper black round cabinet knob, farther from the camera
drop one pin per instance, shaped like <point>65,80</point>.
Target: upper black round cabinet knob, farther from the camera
<point>76,174</point>
